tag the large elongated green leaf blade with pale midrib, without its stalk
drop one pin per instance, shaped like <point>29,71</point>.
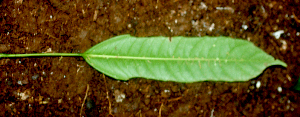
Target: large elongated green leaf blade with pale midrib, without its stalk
<point>179,59</point>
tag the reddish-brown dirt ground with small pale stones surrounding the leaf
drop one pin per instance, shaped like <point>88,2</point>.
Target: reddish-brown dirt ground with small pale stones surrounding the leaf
<point>57,86</point>
